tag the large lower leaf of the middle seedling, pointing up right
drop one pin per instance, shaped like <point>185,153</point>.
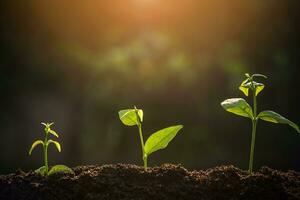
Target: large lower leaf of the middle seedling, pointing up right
<point>160,139</point>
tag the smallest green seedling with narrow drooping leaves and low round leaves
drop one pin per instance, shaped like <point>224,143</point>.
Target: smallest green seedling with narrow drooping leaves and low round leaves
<point>44,170</point>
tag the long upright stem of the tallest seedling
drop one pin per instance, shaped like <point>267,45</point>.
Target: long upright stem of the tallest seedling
<point>254,124</point>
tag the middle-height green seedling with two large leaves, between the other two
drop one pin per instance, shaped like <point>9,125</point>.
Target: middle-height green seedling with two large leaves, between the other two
<point>158,140</point>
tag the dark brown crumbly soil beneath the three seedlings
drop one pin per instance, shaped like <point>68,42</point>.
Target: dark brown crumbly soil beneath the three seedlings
<point>166,182</point>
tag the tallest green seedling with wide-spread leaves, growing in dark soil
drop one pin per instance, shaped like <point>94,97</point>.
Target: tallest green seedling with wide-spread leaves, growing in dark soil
<point>240,107</point>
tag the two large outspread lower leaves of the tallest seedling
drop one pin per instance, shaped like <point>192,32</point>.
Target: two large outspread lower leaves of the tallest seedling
<point>240,107</point>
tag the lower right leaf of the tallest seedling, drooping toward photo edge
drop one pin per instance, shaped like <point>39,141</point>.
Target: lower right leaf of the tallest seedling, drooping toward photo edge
<point>274,117</point>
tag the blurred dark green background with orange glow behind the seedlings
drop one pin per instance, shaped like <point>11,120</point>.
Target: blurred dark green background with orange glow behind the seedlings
<point>76,63</point>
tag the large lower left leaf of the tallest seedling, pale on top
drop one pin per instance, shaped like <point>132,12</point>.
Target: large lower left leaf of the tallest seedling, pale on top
<point>238,106</point>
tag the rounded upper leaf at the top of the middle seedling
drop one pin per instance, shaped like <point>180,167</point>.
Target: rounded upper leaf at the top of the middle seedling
<point>129,118</point>
